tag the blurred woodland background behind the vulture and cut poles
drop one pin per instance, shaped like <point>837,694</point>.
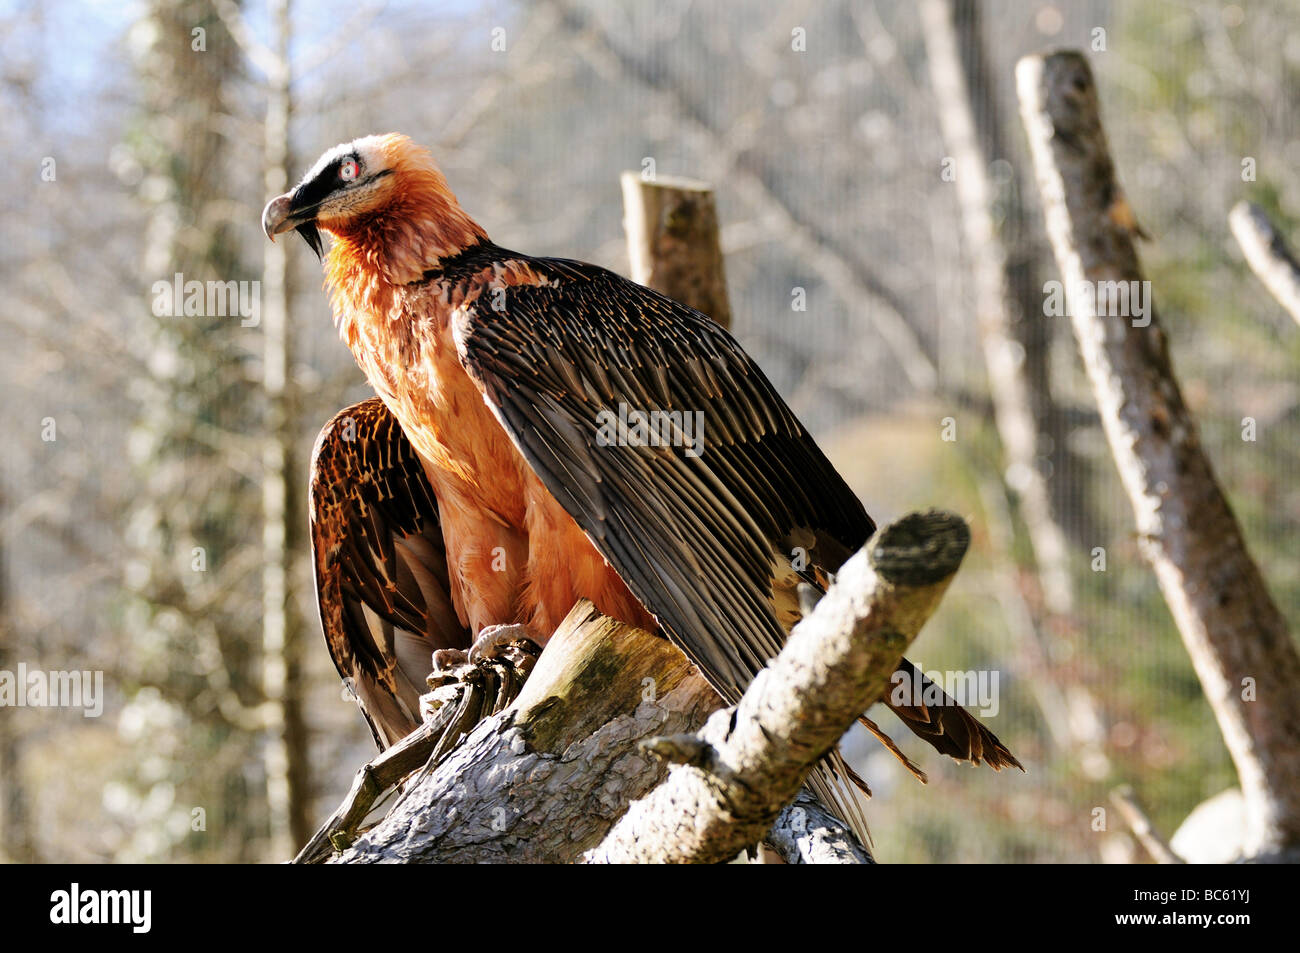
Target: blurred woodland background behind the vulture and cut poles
<point>834,153</point>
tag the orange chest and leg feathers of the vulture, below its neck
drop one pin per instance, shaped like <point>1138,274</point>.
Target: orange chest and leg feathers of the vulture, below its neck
<point>489,497</point>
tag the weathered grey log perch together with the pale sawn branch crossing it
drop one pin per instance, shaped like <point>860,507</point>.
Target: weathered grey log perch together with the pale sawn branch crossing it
<point>548,778</point>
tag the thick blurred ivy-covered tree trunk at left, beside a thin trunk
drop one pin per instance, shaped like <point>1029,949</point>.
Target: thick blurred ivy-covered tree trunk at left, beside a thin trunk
<point>188,529</point>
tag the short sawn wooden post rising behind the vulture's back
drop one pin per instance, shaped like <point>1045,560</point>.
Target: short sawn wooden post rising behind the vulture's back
<point>673,242</point>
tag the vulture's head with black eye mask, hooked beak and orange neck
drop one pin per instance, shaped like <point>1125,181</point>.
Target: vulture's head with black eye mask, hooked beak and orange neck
<point>384,197</point>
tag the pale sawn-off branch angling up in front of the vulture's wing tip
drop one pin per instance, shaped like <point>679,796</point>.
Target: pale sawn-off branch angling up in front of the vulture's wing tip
<point>734,778</point>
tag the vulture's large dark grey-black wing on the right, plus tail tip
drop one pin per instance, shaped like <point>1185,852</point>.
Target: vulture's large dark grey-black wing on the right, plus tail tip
<point>701,542</point>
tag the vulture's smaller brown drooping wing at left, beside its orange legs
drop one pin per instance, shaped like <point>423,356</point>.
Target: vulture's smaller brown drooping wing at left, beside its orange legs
<point>382,573</point>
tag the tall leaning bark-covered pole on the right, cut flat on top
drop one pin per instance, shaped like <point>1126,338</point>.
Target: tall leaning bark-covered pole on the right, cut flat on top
<point>1240,643</point>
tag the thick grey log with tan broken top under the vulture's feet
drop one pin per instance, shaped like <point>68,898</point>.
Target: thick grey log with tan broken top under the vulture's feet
<point>544,781</point>
